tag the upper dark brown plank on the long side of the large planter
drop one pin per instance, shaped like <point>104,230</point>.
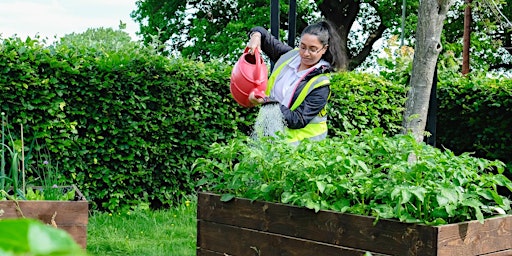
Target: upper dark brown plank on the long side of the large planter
<point>346,230</point>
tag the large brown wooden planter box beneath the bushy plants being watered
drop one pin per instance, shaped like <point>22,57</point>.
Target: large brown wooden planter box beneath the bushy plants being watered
<point>242,227</point>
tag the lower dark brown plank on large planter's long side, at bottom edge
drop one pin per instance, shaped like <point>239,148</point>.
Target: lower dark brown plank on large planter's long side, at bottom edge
<point>231,240</point>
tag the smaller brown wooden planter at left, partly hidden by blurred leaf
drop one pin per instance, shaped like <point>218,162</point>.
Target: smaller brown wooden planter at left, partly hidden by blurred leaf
<point>71,216</point>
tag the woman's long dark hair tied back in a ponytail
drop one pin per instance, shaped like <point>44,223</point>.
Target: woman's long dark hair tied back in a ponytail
<point>328,35</point>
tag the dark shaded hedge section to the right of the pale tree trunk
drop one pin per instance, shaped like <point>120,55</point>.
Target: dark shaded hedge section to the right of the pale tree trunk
<point>475,115</point>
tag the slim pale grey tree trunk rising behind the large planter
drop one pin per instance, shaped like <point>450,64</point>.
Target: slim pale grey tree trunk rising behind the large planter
<point>431,16</point>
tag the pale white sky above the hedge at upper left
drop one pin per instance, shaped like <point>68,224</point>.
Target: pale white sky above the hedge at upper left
<point>56,18</point>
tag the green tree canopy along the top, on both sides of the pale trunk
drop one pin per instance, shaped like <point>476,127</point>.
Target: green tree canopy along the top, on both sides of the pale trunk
<point>207,29</point>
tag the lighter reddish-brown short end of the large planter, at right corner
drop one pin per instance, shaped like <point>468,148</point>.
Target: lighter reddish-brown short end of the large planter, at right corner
<point>474,238</point>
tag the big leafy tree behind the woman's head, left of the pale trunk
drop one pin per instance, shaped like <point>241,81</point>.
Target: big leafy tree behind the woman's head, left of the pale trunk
<point>208,29</point>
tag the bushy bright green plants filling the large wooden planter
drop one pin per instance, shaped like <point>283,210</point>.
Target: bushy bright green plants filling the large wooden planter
<point>364,173</point>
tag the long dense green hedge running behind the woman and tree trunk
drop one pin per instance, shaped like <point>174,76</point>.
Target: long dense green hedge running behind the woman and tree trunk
<point>125,124</point>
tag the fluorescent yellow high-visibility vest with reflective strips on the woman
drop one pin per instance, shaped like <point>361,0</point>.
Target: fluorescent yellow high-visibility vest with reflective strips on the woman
<point>316,129</point>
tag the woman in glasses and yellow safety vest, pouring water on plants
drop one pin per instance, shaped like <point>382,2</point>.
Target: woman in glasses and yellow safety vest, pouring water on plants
<point>299,80</point>
